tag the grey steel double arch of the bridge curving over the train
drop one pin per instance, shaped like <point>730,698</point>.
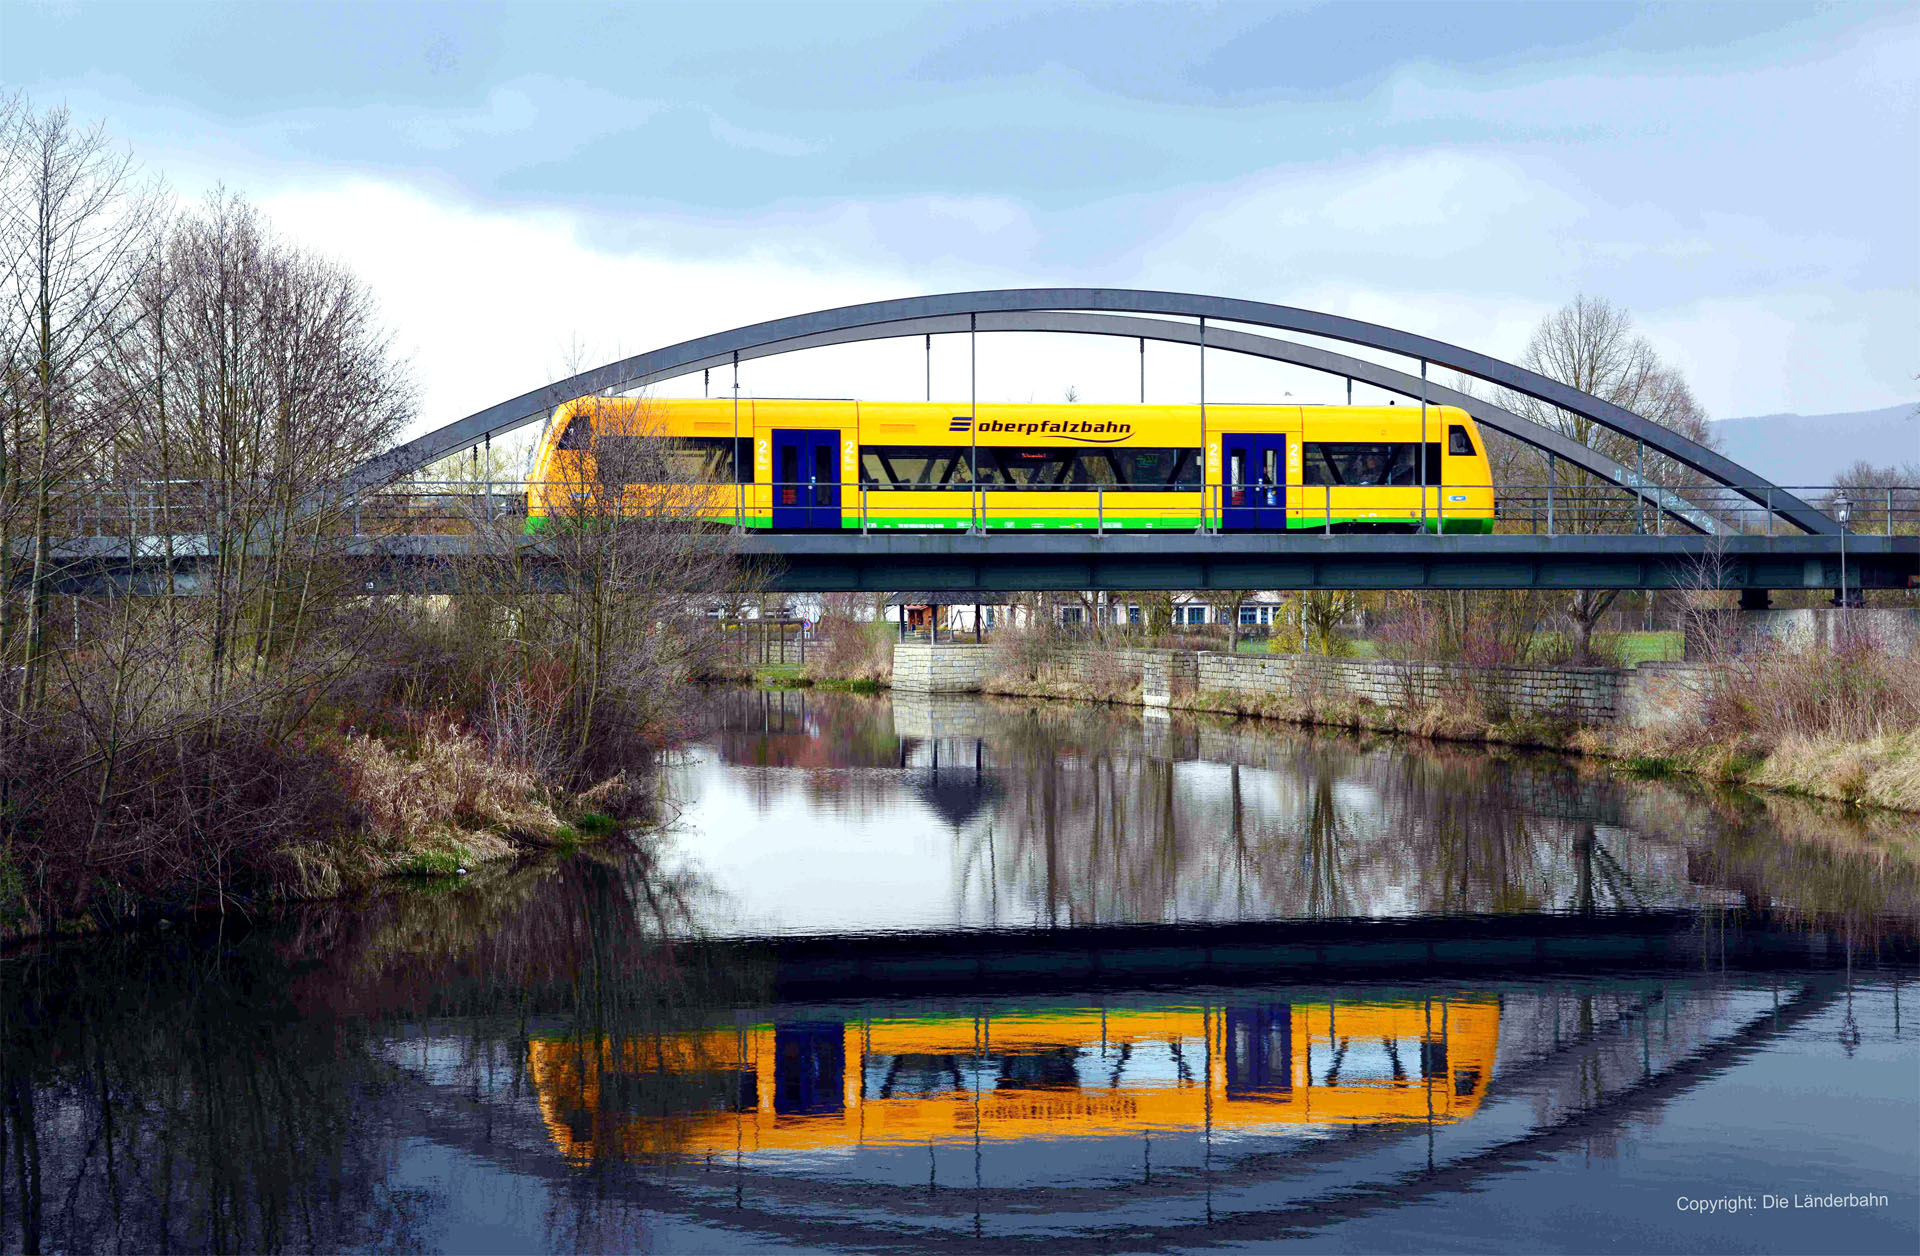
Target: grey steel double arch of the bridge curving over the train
<point>1090,310</point>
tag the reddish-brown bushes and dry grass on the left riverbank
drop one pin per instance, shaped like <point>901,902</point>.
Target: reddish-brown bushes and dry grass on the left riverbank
<point>427,761</point>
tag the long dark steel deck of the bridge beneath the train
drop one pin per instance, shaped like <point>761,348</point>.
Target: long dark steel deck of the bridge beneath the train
<point>961,564</point>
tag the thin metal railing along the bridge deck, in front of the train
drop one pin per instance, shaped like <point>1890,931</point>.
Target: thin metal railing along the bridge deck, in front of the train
<point>468,508</point>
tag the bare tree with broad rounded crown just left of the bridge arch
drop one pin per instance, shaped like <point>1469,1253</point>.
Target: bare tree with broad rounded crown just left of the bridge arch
<point>254,377</point>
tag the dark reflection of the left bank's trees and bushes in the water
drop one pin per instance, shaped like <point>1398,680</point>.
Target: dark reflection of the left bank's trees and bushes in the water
<point>237,1096</point>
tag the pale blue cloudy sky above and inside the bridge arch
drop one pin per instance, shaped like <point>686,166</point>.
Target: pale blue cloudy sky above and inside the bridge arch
<point>1750,203</point>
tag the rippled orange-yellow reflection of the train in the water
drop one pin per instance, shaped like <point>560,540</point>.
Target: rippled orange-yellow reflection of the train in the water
<point>819,1086</point>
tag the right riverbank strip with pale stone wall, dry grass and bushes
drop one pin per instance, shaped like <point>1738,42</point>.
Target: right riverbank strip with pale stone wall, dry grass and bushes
<point>1829,723</point>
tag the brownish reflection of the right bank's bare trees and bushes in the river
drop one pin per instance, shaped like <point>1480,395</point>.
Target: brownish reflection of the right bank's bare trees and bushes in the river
<point>1080,815</point>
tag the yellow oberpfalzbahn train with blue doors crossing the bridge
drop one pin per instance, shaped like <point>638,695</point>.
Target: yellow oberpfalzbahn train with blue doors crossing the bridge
<point>882,466</point>
